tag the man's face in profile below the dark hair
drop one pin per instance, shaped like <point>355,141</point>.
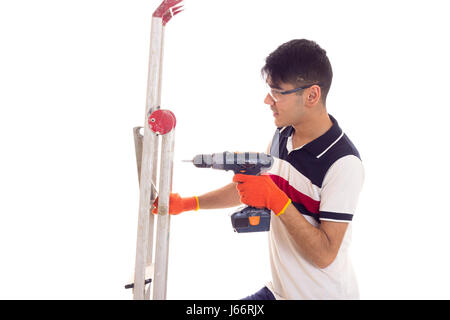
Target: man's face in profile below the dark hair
<point>287,109</point>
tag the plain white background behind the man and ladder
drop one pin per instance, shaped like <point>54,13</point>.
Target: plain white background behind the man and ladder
<point>73,77</point>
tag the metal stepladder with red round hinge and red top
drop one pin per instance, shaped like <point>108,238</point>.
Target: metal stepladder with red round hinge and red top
<point>157,122</point>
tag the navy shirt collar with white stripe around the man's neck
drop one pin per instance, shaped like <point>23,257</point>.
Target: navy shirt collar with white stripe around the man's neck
<point>319,146</point>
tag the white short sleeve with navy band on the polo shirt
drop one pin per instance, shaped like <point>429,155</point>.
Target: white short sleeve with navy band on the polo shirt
<point>340,190</point>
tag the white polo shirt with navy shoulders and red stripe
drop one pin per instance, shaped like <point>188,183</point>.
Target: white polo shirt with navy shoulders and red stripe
<point>323,179</point>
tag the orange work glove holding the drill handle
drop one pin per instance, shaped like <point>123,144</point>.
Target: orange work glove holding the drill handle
<point>261,191</point>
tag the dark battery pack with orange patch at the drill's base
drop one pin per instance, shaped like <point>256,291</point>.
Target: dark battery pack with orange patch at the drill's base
<point>251,219</point>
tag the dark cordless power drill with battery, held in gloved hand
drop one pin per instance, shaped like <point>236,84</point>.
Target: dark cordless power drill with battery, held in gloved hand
<point>247,219</point>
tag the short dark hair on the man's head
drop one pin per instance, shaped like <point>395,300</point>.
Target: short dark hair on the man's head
<point>299,62</point>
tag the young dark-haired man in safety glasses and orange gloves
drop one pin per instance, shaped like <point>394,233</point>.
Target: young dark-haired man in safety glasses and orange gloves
<point>312,188</point>
